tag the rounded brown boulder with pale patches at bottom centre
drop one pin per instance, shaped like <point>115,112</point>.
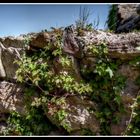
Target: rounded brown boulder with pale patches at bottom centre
<point>79,115</point>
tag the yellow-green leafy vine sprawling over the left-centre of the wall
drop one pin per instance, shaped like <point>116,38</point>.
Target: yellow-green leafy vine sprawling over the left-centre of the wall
<point>38,72</point>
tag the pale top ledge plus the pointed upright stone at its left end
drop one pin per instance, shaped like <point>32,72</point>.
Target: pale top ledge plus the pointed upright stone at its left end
<point>122,46</point>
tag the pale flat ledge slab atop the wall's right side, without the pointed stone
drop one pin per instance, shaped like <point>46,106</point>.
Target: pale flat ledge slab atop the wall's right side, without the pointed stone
<point>121,46</point>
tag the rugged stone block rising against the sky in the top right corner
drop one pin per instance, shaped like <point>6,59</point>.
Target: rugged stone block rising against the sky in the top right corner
<point>127,17</point>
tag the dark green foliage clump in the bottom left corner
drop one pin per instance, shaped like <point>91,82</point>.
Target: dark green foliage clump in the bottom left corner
<point>33,123</point>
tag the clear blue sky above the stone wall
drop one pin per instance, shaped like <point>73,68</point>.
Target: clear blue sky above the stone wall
<point>19,19</point>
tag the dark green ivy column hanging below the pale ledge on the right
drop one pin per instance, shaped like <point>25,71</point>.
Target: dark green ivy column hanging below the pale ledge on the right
<point>107,85</point>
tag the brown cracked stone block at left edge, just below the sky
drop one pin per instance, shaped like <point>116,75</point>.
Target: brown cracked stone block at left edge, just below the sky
<point>9,52</point>
